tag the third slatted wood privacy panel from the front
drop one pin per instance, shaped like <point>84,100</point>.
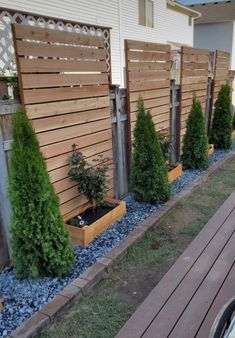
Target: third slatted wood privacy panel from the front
<point>194,80</point>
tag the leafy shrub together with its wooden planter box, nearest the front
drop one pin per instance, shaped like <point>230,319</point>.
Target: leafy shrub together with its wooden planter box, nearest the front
<point>99,212</point>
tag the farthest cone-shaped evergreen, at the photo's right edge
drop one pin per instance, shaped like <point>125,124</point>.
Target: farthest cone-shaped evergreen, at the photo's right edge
<point>222,121</point>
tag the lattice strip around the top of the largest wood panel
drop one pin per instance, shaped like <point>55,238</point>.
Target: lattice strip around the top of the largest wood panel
<point>7,53</point>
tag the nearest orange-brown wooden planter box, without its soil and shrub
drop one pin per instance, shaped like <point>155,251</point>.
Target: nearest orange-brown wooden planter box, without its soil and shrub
<point>83,236</point>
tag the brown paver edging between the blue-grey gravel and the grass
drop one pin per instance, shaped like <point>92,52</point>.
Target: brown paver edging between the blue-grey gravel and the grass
<point>51,311</point>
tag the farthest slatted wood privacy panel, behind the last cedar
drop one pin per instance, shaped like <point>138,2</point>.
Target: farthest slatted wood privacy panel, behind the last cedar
<point>221,71</point>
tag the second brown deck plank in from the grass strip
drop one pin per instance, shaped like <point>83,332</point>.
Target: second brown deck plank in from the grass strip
<point>179,300</point>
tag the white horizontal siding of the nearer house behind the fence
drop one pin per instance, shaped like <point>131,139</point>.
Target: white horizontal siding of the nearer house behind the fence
<point>121,15</point>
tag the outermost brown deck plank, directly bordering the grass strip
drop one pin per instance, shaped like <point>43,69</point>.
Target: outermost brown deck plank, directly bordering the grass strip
<point>148,310</point>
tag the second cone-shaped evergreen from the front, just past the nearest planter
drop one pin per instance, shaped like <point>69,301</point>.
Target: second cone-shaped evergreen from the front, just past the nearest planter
<point>149,181</point>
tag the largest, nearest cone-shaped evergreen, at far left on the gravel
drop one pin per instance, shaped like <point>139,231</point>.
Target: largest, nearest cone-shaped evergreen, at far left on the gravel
<point>40,242</point>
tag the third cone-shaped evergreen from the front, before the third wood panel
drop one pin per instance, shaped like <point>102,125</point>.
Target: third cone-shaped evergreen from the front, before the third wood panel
<point>195,144</point>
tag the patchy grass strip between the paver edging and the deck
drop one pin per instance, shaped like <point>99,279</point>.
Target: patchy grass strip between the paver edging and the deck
<point>109,305</point>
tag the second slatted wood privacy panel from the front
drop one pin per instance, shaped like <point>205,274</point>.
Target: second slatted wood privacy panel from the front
<point>148,75</point>
